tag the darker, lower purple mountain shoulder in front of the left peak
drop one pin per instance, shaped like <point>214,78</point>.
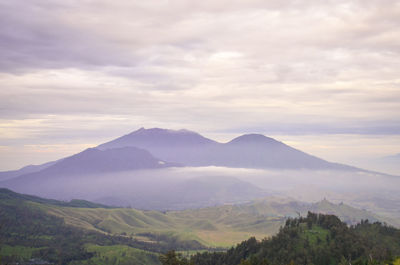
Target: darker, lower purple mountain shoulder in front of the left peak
<point>82,175</point>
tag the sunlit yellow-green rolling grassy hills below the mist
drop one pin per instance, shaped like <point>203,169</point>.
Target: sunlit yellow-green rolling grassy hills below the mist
<point>220,226</point>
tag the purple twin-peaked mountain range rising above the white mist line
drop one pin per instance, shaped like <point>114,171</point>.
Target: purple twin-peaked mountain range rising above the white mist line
<point>151,148</point>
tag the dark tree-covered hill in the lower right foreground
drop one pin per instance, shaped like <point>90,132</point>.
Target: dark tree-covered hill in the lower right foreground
<point>316,239</point>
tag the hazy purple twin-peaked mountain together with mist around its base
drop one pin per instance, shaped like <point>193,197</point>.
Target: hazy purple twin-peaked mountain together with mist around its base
<point>158,169</point>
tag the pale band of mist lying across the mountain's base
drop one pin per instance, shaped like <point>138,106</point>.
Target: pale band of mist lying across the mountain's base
<point>194,187</point>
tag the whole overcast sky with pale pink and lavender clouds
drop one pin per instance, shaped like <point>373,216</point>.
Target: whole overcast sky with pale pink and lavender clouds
<point>322,76</point>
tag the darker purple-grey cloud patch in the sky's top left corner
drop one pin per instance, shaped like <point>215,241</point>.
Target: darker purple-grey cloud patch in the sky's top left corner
<point>32,36</point>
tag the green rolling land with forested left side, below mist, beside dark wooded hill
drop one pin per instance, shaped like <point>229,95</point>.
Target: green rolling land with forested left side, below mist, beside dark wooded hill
<point>81,232</point>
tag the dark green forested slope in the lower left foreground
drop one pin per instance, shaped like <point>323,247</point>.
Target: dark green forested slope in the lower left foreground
<point>28,231</point>
